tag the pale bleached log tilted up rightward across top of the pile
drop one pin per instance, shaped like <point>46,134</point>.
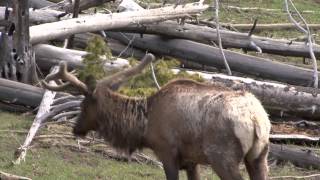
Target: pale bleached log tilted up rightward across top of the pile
<point>97,22</point>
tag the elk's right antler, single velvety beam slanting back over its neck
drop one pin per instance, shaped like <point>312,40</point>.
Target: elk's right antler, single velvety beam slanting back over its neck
<point>114,81</point>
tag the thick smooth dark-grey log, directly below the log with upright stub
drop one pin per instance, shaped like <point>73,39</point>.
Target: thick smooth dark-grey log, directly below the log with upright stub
<point>210,56</point>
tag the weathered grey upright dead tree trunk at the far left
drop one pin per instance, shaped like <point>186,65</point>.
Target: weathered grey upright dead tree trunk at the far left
<point>17,58</point>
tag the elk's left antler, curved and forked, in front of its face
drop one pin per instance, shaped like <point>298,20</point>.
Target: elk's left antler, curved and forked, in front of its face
<point>66,76</point>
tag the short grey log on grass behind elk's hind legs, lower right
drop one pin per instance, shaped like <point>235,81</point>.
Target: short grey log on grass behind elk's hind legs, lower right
<point>298,157</point>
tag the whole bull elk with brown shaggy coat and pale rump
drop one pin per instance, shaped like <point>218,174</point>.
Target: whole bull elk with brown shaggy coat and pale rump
<point>185,123</point>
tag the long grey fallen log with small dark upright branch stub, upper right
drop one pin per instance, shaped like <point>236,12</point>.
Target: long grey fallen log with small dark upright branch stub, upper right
<point>229,39</point>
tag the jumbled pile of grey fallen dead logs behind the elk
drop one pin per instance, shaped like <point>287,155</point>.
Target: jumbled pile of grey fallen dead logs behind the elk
<point>291,97</point>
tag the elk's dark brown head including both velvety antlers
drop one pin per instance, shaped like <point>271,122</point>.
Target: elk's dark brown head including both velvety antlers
<point>88,117</point>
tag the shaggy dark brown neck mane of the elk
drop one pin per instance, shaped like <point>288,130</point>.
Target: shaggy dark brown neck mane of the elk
<point>122,120</point>
